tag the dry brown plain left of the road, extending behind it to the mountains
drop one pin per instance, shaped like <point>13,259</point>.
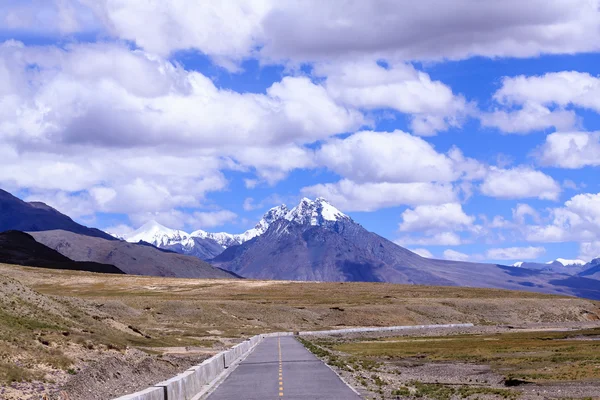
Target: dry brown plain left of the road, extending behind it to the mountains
<point>69,331</point>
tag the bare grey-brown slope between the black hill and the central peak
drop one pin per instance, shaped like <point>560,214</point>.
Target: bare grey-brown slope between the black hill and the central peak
<point>131,258</point>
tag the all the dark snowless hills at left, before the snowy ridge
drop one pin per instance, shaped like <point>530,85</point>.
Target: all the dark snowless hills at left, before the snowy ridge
<point>62,243</point>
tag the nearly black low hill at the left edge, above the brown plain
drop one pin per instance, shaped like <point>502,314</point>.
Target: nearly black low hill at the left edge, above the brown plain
<point>22,249</point>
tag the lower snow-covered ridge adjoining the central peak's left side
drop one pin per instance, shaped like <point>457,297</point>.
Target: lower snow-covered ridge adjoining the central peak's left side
<point>201,244</point>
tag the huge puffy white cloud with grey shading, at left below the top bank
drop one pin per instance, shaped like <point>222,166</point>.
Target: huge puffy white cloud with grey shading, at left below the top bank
<point>120,93</point>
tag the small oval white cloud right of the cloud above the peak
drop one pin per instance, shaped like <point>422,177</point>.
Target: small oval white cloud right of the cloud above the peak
<point>519,183</point>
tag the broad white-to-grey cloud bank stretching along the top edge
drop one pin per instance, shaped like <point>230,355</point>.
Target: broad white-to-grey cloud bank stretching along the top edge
<point>308,30</point>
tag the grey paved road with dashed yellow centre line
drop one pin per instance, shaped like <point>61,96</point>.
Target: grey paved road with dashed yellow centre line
<point>281,368</point>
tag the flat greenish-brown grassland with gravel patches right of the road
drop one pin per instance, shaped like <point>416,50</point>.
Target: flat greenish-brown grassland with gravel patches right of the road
<point>518,364</point>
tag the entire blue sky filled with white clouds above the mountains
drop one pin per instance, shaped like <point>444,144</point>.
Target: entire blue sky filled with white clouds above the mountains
<point>463,130</point>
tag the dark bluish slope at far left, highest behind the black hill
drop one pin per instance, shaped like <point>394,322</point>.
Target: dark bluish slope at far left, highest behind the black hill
<point>16,214</point>
